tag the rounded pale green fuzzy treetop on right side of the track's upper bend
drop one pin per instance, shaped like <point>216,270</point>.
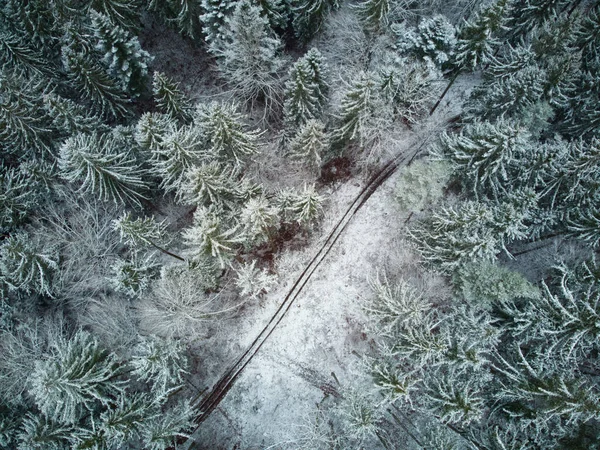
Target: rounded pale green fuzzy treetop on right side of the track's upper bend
<point>422,184</point>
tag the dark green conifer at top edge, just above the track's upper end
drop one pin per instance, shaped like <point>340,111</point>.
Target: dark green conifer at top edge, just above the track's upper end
<point>478,38</point>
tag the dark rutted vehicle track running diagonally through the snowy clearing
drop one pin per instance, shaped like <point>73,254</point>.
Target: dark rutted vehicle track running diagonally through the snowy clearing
<point>208,404</point>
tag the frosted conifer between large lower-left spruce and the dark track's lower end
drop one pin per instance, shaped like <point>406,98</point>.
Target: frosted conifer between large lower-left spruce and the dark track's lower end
<point>161,363</point>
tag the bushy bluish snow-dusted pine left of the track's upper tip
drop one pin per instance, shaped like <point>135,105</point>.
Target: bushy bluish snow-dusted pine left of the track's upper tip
<point>434,40</point>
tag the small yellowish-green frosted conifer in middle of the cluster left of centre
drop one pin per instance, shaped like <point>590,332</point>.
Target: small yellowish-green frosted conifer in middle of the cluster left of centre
<point>207,184</point>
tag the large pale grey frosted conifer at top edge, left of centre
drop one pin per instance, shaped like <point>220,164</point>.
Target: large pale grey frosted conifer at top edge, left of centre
<point>248,57</point>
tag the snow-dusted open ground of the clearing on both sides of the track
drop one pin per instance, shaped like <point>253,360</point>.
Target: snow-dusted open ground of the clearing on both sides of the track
<point>317,349</point>
